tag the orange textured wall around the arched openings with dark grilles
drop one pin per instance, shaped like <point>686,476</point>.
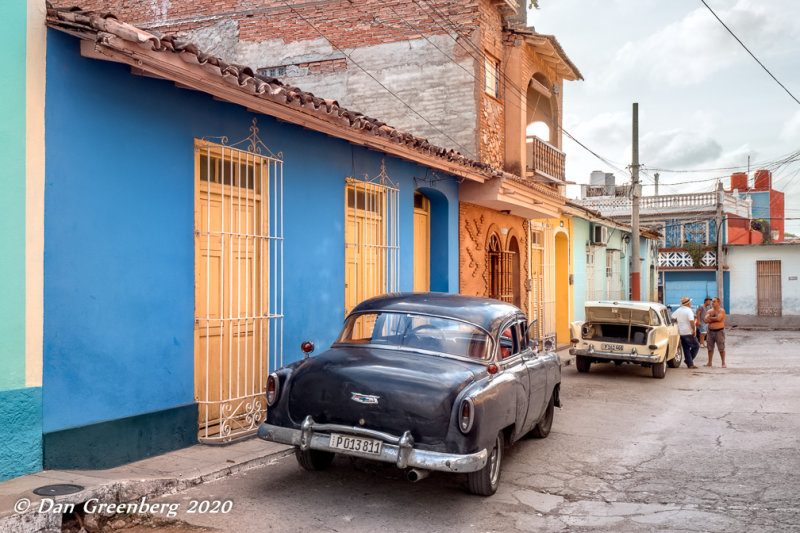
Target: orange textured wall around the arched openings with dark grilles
<point>476,224</point>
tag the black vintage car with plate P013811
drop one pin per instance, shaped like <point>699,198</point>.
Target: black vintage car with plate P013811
<point>427,381</point>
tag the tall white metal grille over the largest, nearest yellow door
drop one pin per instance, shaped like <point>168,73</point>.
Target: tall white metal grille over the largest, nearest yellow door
<point>238,284</point>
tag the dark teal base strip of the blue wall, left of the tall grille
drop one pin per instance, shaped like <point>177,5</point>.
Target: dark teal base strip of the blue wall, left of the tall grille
<point>115,442</point>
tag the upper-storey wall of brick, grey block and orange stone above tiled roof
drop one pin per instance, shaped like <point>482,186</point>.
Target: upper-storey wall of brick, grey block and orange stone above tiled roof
<point>429,53</point>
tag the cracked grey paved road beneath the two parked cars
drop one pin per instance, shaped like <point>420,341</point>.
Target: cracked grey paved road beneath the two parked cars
<point>701,450</point>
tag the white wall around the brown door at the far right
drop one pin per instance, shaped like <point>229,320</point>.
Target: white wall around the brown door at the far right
<point>742,261</point>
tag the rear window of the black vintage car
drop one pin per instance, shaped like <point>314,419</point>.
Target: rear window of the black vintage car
<point>422,332</point>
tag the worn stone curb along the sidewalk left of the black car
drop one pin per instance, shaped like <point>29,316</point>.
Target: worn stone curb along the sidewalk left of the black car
<point>128,491</point>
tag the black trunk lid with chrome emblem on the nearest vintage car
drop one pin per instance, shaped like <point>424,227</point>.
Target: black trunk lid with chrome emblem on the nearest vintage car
<point>381,389</point>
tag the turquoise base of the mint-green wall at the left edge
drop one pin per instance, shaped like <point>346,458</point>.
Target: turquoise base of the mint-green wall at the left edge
<point>21,420</point>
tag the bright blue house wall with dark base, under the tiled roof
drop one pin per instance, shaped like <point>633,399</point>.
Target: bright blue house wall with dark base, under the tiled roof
<point>119,247</point>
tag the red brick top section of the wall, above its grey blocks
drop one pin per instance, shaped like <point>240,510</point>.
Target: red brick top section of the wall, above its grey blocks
<point>349,24</point>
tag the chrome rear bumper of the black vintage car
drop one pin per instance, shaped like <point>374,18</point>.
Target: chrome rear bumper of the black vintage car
<point>397,450</point>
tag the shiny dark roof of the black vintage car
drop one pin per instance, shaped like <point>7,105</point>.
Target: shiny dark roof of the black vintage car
<point>484,312</point>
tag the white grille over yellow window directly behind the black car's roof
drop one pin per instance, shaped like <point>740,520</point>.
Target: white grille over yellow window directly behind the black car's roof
<point>371,238</point>
